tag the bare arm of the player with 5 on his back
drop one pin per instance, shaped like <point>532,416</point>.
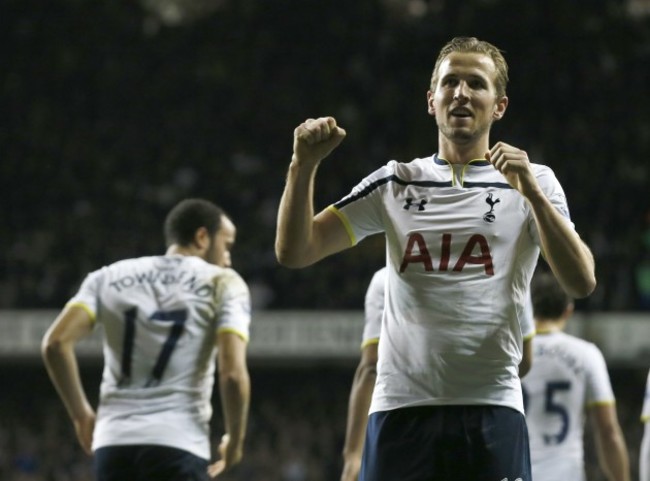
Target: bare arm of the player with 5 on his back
<point>610,443</point>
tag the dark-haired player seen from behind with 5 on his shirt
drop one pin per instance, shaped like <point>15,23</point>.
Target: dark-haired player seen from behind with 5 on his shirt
<point>567,378</point>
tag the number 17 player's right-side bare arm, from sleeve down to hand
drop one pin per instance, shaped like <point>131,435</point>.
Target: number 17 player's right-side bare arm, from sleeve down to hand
<point>234,389</point>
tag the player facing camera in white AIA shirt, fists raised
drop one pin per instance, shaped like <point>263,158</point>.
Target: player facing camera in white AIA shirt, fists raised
<point>464,228</point>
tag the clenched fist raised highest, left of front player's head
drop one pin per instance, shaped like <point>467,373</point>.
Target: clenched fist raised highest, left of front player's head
<point>314,139</point>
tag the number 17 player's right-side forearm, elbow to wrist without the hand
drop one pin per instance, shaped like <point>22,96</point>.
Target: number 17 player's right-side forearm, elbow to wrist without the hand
<point>235,399</point>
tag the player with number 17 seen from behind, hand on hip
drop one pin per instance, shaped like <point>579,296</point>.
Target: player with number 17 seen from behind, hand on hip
<point>166,320</point>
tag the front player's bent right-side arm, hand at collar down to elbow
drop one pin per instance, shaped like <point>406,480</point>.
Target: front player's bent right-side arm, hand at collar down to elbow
<point>568,256</point>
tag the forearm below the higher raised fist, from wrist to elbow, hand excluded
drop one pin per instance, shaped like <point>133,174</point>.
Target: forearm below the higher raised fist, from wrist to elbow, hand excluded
<point>295,216</point>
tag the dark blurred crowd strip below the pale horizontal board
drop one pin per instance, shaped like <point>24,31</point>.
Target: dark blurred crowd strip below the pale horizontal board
<point>295,431</point>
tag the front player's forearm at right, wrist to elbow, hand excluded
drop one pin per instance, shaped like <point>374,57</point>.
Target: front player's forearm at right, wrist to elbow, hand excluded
<point>569,258</point>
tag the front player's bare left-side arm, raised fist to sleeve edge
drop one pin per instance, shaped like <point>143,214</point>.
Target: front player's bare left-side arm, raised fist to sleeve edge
<point>302,238</point>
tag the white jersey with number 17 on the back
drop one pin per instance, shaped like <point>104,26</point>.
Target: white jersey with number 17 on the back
<point>160,316</point>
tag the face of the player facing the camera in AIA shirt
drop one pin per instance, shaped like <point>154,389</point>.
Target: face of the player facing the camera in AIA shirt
<point>464,99</point>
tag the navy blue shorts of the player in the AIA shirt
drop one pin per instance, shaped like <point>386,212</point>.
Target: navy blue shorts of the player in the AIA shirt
<point>446,443</point>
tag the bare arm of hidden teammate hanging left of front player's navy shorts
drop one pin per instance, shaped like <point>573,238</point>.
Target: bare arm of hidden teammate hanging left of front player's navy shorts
<point>359,403</point>
